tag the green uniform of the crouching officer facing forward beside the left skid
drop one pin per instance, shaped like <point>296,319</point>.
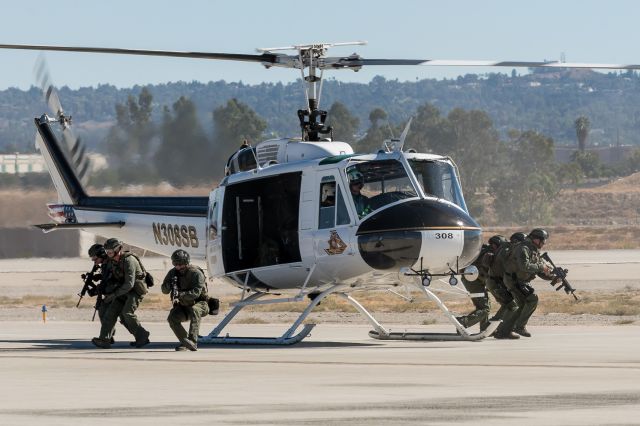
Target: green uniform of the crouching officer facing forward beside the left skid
<point>192,301</point>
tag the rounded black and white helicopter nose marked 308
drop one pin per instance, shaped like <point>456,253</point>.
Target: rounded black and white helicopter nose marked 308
<point>425,234</point>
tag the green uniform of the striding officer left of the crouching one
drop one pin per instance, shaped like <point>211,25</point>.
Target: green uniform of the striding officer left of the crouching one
<point>126,289</point>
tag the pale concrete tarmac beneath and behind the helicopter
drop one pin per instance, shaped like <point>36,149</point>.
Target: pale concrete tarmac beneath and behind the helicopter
<point>563,375</point>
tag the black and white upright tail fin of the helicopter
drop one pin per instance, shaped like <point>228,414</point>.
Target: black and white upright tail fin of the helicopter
<point>64,176</point>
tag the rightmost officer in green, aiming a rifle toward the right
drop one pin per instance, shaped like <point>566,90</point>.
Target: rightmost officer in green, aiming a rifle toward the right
<point>522,266</point>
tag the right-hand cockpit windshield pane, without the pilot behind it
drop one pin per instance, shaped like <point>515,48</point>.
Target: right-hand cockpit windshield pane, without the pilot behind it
<point>438,179</point>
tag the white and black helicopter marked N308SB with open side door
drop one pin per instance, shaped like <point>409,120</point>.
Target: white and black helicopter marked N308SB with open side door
<point>297,218</point>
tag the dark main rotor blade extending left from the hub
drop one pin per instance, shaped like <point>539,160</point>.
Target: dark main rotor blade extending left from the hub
<point>265,57</point>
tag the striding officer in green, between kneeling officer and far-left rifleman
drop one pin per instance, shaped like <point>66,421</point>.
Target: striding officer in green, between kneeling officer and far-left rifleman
<point>126,289</point>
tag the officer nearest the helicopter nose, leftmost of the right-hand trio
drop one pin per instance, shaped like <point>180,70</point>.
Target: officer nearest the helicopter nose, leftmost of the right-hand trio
<point>477,289</point>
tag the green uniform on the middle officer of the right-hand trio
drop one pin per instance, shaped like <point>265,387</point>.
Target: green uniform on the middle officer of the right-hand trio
<point>495,284</point>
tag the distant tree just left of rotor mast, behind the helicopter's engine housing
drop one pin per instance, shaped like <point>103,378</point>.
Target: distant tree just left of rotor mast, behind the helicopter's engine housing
<point>233,123</point>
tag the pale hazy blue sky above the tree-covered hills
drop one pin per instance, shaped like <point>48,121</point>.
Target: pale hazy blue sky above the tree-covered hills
<point>586,31</point>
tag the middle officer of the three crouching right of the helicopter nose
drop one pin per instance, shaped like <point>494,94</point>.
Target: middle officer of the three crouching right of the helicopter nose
<point>495,284</point>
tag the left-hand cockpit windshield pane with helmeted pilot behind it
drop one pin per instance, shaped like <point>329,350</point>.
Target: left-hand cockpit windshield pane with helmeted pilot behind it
<point>374,184</point>
